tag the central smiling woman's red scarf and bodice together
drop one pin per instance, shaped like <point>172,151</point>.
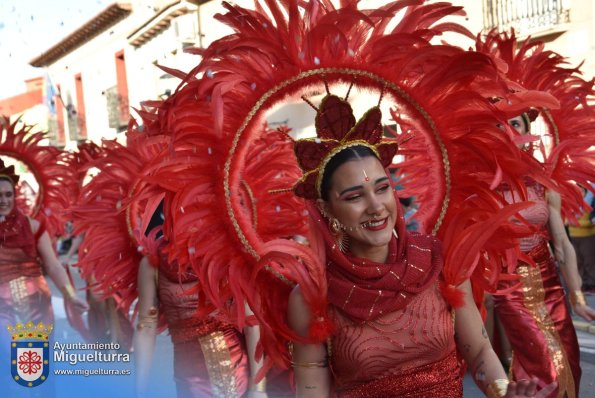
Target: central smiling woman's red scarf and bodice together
<point>388,350</point>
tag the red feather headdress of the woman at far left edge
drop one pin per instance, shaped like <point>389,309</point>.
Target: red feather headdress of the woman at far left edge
<point>48,164</point>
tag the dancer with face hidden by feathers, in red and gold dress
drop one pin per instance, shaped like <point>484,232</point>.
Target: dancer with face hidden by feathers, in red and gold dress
<point>210,357</point>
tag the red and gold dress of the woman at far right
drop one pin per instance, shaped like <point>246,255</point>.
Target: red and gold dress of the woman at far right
<point>537,308</point>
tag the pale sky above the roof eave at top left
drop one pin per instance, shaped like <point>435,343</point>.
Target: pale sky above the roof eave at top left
<point>29,27</point>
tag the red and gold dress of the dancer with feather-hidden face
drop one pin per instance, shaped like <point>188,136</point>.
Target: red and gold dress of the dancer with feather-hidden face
<point>210,359</point>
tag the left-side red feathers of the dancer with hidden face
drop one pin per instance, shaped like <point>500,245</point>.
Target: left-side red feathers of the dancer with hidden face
<point>113,211</point>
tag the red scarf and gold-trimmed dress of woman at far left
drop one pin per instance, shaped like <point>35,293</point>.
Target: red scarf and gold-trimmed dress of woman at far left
<point>24,292</point>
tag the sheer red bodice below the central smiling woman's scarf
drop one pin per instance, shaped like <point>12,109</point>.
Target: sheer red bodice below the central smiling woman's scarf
<point>395,348</point>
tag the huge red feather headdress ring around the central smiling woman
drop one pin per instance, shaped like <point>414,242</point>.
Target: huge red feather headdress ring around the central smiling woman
<point>216,114</point>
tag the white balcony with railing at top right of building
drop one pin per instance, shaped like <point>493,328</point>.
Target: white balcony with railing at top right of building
<point>527,17</point>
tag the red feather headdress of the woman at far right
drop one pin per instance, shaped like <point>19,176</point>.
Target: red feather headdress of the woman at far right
<point>571,125</point>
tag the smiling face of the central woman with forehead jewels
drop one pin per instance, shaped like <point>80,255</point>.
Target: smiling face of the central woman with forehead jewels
<point>361,198</point>
